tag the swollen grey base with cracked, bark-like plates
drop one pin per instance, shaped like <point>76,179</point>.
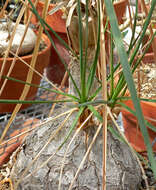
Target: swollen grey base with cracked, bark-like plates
<point>123,171</point>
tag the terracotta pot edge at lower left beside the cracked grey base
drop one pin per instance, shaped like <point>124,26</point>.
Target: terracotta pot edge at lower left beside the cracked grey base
<point>7,150</point>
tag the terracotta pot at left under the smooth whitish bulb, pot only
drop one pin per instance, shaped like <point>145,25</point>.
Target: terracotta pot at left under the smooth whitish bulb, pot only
<point>13,90</point>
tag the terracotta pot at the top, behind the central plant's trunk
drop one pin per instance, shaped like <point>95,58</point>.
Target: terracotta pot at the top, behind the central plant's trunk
<point>56,70</point>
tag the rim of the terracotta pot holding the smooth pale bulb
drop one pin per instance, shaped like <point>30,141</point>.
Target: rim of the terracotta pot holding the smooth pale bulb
<point>48,46</point>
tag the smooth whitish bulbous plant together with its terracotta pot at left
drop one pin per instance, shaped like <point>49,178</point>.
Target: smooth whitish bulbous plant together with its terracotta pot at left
<point>19,69</point>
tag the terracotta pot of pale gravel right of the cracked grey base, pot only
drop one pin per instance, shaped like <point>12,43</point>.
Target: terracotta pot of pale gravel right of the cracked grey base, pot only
<point>132,130</point>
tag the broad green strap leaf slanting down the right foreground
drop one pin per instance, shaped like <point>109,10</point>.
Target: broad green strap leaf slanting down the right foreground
<point>129,79</point>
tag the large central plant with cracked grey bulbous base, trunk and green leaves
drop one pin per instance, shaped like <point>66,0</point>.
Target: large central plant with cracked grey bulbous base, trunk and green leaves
<point>56,162</point>
